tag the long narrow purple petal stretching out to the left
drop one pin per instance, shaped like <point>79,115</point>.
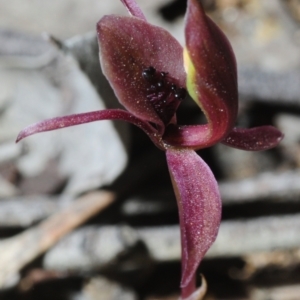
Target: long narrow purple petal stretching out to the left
<point>99,115</point>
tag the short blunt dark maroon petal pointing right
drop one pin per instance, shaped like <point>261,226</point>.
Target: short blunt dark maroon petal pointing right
<point>254,139</point>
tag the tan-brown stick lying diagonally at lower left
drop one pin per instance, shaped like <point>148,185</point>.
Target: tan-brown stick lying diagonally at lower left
<point>21,249</point>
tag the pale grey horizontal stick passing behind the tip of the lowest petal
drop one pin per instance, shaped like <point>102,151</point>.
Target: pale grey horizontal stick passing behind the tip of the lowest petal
<point>236,238</point>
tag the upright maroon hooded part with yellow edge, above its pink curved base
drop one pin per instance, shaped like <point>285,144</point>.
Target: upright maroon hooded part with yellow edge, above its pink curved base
<point>211,70</point>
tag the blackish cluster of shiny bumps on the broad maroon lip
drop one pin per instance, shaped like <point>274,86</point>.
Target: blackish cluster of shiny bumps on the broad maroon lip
<point>164,95</point>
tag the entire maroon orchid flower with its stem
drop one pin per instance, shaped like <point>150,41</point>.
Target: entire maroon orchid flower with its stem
<point>151,74</point>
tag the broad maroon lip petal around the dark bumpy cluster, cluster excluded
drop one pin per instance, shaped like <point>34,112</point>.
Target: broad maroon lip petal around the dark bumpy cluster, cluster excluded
<point>128,45</point>
